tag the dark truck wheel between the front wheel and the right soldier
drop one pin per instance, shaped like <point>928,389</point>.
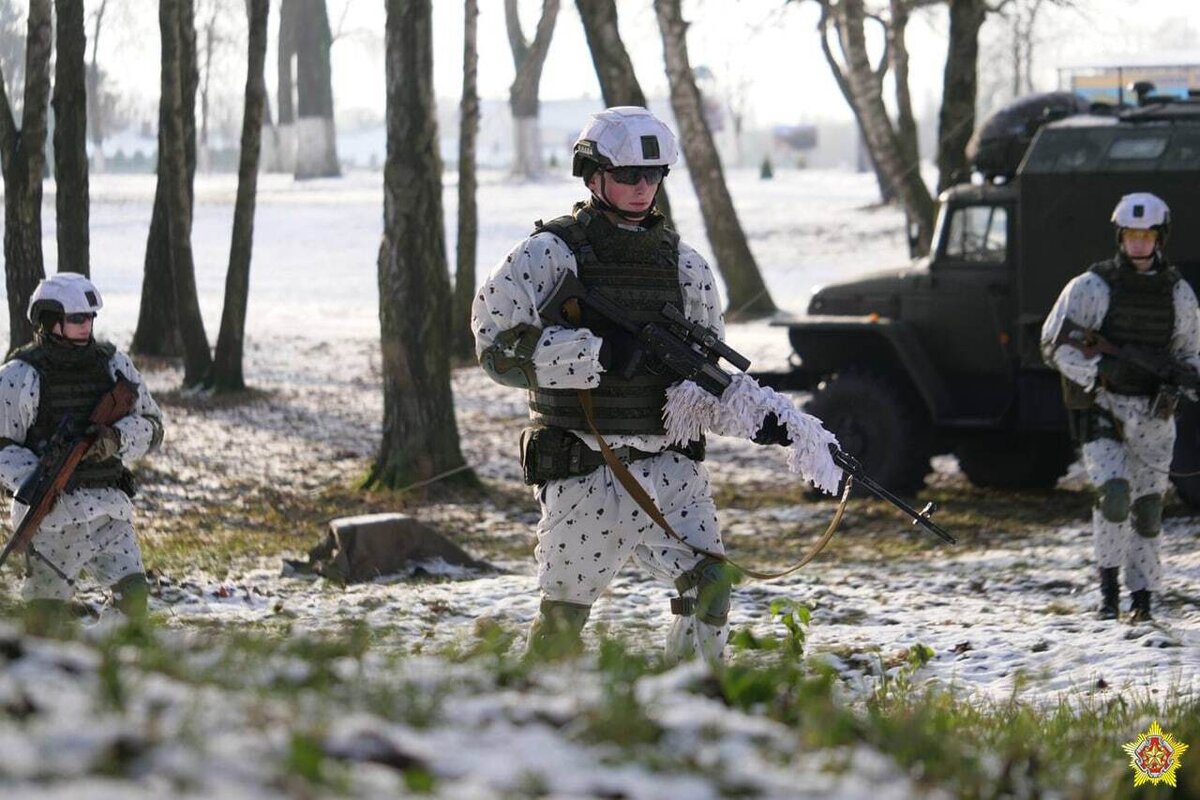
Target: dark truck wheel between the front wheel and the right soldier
<point>1016,461</point>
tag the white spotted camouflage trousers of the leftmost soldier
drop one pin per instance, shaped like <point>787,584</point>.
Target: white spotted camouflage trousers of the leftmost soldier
<point>105,546</point>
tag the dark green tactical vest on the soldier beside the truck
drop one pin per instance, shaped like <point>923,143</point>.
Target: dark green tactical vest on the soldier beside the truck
<point>1142,314</point>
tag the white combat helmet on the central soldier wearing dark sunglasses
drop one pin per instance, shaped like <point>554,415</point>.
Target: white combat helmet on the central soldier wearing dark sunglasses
<point>625,136</point>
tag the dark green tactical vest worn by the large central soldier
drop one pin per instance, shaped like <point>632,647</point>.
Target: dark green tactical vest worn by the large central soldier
<point>640,270</point>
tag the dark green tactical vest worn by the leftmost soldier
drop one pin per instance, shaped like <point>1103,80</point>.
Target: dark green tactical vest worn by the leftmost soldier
<point>73,382</point>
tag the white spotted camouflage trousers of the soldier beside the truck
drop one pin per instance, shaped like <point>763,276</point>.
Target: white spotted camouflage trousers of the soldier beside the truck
<point>1144,459</point>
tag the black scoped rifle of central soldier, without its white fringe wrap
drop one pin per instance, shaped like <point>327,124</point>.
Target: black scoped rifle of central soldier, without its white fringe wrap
<point>693,352</point>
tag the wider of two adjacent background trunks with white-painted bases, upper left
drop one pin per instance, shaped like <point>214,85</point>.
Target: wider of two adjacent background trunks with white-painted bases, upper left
<point>316,136</point>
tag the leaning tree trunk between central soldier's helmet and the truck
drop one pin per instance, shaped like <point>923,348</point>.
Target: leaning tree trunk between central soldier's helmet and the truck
<point>748,293</point>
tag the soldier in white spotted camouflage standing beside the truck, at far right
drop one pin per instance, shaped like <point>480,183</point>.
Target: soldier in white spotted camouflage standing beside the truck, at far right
<point>1121,413</point>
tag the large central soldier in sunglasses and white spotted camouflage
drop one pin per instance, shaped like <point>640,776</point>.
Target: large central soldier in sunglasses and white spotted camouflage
<point>590,525</point>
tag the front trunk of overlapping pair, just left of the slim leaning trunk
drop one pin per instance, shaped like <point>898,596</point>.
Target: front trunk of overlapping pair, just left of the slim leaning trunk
<point>177,21</point>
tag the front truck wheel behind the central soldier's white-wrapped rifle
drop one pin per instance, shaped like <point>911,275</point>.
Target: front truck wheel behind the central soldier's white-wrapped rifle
<point>877,424</point>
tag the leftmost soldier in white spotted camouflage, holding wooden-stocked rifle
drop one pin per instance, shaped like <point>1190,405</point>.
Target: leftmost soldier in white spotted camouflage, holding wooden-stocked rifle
<point>55,382</point>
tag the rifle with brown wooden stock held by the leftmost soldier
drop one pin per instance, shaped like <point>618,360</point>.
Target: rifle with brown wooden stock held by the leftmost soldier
<point>63,455</point>
